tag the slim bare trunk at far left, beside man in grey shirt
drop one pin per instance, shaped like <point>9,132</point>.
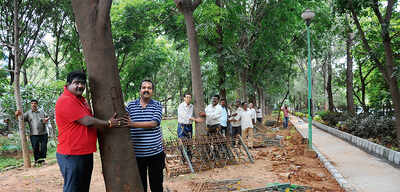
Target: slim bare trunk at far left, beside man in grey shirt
<point>17,91</point>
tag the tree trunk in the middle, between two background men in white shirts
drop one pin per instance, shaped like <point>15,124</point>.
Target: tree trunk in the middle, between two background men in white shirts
<point>186,7</point>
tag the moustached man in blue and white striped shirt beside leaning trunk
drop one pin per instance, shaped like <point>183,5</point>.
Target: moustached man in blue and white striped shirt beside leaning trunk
<point>145,118</point>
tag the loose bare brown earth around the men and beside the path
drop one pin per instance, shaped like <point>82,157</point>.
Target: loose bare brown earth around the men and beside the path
<point>287,164</point>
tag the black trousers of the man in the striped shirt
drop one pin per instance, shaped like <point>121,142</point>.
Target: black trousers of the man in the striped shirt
<point>153,166</point>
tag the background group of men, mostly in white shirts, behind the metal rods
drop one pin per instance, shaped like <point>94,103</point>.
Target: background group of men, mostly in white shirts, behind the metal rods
<point>220,119</point>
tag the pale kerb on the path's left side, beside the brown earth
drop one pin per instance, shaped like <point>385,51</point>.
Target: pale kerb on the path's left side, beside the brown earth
<point>332,170</point>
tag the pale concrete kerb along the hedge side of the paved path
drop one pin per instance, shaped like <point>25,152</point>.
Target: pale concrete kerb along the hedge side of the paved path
<point>393,157</point>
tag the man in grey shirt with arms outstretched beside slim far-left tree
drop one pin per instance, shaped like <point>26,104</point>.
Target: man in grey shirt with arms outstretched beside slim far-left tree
<point>38,133</point>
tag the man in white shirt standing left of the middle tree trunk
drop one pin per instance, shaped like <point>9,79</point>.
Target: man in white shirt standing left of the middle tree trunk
<point>185,117</point>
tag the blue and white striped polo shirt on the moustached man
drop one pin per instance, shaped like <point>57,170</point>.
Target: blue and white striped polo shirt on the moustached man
<point>146,141</point>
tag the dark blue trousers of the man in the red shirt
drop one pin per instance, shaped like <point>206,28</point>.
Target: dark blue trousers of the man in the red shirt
<point>76,171</point>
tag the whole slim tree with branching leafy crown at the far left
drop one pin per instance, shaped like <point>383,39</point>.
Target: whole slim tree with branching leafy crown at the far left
<point>20,27</point>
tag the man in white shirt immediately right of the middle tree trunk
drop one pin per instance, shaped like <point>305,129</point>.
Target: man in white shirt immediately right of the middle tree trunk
<point>213,116</point>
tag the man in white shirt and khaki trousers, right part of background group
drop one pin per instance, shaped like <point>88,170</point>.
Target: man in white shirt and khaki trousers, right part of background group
<point>247,125</point>
